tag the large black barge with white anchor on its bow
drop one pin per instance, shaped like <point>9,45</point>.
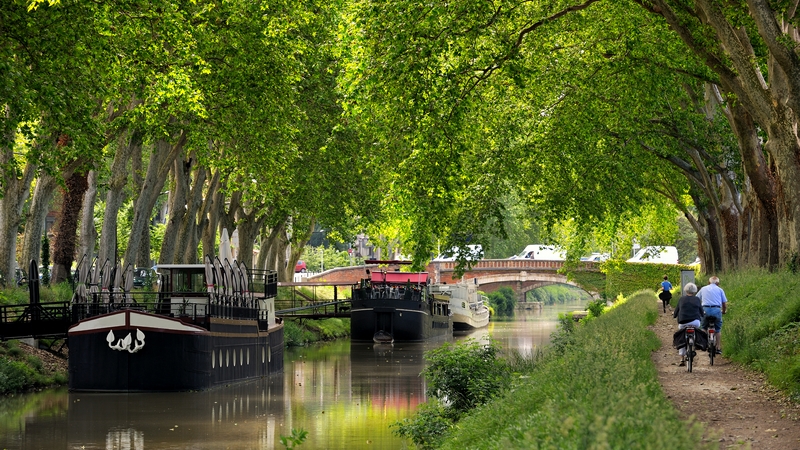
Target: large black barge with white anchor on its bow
<point>205,327</point>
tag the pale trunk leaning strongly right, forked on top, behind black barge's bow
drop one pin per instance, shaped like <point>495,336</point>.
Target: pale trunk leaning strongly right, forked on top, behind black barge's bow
<point>158,168</point>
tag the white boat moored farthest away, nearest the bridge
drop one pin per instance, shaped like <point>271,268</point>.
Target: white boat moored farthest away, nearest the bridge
<point>466,303</point>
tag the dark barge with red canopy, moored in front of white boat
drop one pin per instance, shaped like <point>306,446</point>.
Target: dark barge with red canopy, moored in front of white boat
<point>400,304</point>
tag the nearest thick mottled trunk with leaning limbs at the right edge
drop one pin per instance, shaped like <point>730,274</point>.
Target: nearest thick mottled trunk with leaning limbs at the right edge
<point>772,101</point>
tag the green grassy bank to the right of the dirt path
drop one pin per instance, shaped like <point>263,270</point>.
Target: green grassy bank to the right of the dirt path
<point>762,325</point>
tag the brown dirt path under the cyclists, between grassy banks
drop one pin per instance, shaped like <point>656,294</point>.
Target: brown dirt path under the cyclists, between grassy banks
<point>736,406</point>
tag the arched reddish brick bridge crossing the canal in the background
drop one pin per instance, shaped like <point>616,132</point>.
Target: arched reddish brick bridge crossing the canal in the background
<point>521,275</point>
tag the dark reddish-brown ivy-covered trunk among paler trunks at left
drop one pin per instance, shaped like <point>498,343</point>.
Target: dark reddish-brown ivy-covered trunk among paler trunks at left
<point>67,223</point>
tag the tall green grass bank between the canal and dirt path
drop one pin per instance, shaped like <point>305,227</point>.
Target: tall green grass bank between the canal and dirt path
<point>600,391</point>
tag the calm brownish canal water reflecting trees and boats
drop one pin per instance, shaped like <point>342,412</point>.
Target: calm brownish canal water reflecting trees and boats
<point>345,395</point>
